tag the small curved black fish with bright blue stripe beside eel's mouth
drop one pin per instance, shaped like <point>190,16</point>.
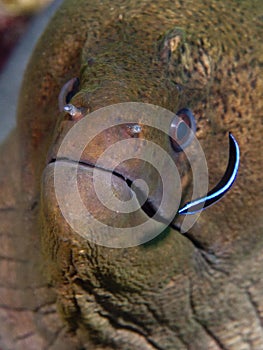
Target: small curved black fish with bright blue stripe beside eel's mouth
<point>222,187</point>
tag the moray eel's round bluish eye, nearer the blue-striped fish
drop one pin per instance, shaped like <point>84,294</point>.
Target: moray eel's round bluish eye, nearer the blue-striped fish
<point>182,129</point>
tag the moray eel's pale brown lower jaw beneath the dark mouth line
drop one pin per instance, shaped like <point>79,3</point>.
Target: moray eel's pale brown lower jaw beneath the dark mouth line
<point>124,216</point>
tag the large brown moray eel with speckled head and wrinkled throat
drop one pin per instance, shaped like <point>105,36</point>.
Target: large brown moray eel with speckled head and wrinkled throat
<point>198,290</point>
